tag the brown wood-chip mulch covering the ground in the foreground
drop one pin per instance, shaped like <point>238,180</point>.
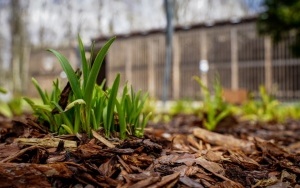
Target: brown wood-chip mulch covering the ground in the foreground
<point>175,154</point>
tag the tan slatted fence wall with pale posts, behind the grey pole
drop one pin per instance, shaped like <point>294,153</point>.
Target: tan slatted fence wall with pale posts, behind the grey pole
<point>235,53</point>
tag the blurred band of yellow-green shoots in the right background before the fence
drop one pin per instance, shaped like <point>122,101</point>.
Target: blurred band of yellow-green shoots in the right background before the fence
<point>214,109</point>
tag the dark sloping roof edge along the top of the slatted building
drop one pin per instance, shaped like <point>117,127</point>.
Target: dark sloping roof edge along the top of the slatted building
<point>177,28</point>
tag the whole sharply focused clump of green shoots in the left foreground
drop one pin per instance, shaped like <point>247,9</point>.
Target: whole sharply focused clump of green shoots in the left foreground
<point>83,105</point>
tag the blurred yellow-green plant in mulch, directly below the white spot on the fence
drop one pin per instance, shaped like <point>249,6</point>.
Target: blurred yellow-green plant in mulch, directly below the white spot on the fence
<point>214,108</point>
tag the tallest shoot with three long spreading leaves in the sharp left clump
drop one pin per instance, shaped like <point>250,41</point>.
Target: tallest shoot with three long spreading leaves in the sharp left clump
<point>82,92</point>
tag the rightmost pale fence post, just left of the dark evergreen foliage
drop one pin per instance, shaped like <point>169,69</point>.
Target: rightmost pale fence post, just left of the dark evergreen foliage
<point>268,63</point>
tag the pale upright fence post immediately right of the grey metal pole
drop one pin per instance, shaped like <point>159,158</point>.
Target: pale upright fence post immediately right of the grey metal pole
<point>176,68</point>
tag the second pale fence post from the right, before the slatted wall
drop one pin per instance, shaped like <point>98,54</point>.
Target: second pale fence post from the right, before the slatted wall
<point>234,59</point>
